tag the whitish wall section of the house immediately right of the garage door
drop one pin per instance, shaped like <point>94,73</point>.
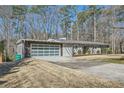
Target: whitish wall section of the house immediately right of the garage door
<point>67,50</point>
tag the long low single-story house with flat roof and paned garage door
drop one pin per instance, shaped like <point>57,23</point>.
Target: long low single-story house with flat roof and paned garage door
<point>39,48</point>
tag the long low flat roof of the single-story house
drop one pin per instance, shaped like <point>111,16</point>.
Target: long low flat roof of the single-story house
<point>64,42</point>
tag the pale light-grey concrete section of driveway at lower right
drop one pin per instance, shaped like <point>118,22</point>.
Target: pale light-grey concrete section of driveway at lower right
<point>109,71</point>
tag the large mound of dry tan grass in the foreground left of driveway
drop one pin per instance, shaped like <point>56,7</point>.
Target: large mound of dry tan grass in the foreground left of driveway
<point>39,73</point>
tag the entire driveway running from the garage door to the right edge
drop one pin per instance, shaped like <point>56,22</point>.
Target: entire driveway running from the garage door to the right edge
<point>109,71</point>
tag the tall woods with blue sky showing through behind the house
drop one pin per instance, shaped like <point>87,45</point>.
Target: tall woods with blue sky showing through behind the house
<point>94,23</point>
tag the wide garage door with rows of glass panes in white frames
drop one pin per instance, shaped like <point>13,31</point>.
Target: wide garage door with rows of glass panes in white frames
<point>45,50</point>
